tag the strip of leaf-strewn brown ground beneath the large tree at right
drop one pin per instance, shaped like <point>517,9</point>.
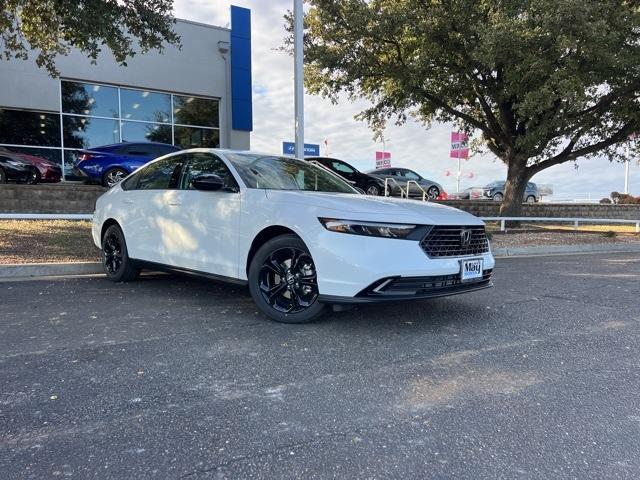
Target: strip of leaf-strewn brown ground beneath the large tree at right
<point>527,239</point>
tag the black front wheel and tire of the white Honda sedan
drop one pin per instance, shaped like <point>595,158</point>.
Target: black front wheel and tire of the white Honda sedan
<point>283,281</point>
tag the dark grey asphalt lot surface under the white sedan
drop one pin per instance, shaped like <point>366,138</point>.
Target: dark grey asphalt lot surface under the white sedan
<point>180,378</point>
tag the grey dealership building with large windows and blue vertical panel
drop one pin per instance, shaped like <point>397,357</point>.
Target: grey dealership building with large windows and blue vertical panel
<point>198,95</point>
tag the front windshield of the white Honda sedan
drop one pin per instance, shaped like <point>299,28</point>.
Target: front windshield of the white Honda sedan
<point>282,173</point>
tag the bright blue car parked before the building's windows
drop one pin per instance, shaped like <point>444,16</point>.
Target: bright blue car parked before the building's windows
<point>110,164</point>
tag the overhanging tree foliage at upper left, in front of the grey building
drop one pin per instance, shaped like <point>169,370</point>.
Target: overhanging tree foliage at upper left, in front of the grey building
<point>48,28</point>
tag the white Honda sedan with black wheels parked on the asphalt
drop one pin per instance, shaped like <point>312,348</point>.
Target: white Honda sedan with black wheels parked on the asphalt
<point>300,236</point>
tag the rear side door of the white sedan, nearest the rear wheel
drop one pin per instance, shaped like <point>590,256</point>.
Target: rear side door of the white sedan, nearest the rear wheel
<point>148,211</point>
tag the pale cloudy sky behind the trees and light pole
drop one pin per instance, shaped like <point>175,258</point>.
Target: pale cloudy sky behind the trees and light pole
<point>412,145</point>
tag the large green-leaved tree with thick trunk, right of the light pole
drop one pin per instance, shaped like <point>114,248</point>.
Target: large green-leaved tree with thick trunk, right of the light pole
<point>538,82</point>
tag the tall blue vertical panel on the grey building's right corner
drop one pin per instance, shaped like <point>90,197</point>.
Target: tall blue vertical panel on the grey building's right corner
<point>241,102</point>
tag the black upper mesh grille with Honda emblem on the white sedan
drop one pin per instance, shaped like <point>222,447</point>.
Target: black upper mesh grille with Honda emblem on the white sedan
<point>446,241</point>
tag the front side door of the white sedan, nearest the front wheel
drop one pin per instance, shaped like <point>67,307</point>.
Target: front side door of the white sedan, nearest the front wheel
<point>208,221</point>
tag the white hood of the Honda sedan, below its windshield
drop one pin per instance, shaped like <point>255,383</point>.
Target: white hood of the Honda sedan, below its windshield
<point>366,207</point>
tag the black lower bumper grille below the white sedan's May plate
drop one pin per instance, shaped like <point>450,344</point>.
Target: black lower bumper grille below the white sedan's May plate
<point>432,285</point>
